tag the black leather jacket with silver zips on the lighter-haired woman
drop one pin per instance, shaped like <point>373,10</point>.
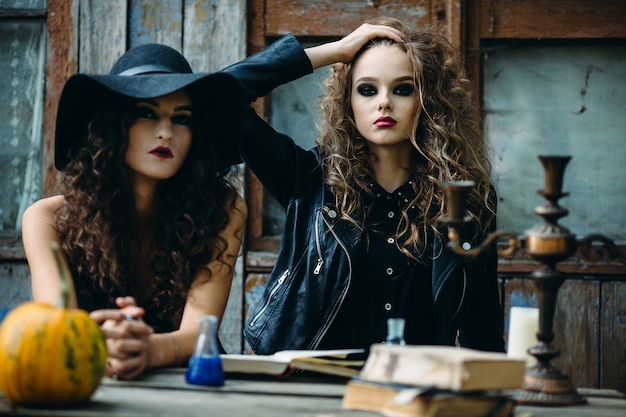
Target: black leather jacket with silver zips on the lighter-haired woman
<point>314,267</point>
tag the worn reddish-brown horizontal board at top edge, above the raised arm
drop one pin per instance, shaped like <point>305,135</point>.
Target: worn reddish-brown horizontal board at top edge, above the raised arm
<point>337,18</point>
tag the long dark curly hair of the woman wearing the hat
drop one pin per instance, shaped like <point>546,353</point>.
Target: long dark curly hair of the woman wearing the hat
<point>99,227</point>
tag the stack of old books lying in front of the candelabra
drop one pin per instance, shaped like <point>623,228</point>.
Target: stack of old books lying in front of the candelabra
<point>435,381</point>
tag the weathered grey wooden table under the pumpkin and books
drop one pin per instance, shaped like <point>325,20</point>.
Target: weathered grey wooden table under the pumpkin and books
<point>164,393</point>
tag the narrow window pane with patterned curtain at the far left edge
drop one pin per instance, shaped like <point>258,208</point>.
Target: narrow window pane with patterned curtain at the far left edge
<point>22,47</point>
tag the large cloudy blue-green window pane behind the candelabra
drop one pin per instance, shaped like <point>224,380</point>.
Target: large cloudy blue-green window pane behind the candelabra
<point>559,100</point>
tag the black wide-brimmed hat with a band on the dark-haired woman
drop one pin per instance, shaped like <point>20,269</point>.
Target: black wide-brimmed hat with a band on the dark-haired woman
<point>151,71</point>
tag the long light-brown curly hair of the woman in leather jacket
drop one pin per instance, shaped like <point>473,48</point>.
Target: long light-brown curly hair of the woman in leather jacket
<point>447,142</point>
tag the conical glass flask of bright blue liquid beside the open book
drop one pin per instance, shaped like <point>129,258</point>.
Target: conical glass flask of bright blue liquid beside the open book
<point>205,365</point>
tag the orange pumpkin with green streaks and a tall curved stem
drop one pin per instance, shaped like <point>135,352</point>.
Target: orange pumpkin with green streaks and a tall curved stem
<point>51,354</point>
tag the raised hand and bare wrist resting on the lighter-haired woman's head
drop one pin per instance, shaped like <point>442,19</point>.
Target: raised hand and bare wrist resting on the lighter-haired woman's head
<point>344,49</point>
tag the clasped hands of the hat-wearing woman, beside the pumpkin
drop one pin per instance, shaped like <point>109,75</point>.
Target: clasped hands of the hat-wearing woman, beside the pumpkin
<point>126,338</point>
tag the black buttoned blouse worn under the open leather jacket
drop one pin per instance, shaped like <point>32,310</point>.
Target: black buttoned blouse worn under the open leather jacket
<point>386,283</point>
